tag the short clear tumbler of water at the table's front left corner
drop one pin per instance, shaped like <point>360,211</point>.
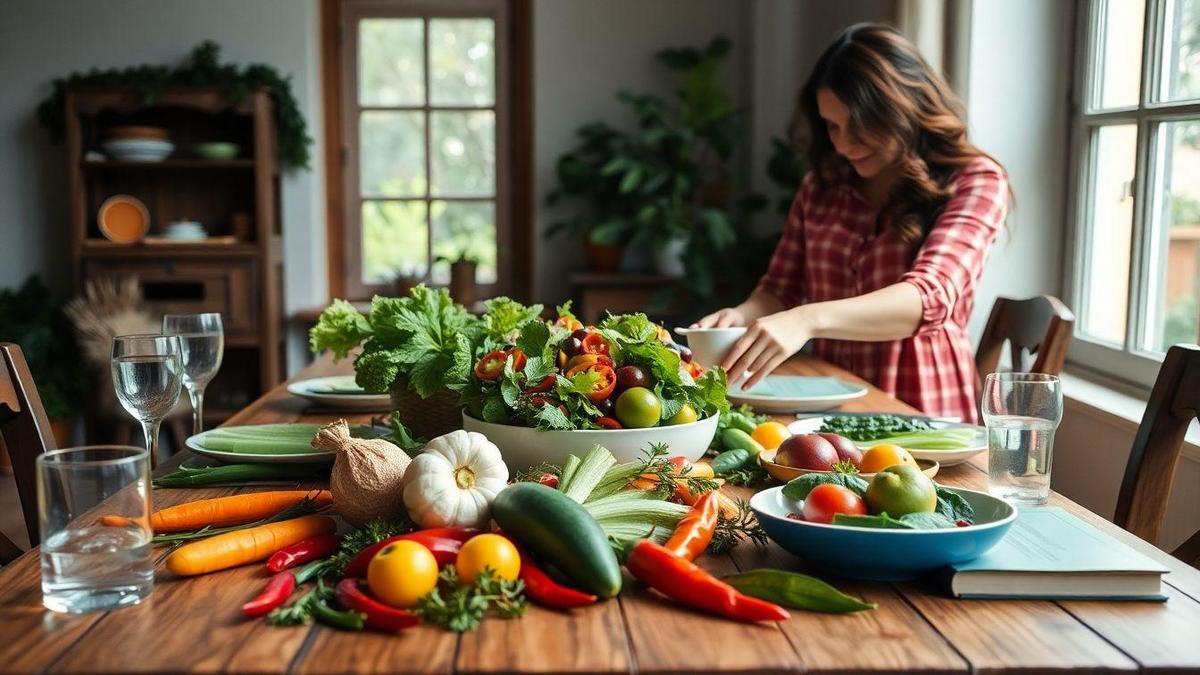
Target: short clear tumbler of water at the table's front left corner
<point>94,512</point>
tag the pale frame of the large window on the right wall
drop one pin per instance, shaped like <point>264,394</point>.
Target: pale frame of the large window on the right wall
<point>1127,362</point>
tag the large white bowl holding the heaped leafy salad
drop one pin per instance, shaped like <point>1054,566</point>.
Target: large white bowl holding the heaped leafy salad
<point>524,446</point>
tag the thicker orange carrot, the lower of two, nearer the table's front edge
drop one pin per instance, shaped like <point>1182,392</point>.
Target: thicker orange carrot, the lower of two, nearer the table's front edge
<point>245,546</point>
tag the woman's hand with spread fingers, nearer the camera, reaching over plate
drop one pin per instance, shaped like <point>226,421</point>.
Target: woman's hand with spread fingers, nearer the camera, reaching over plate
<point>770,342</point>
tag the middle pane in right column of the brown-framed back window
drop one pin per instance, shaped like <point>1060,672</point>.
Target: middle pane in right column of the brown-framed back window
<point>464,147</point>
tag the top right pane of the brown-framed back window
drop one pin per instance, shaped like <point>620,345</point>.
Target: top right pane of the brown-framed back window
<point>463,62</point>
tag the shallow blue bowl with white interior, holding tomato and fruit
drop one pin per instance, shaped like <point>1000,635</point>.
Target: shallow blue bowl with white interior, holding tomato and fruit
<point>883,555</point>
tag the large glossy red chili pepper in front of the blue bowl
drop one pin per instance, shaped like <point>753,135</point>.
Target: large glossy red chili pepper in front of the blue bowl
<point>685,582</point>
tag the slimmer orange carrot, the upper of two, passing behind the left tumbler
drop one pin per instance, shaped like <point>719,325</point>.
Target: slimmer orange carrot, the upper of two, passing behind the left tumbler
<point>232,511</point>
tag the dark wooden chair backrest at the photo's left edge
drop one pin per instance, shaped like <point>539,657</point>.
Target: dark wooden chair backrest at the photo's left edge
<point>26,429</point>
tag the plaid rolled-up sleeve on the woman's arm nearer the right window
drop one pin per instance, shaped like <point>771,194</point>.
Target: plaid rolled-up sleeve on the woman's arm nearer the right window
<point>951,261</point>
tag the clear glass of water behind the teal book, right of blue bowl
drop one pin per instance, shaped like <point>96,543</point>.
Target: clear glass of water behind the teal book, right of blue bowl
<point>1022,411</point>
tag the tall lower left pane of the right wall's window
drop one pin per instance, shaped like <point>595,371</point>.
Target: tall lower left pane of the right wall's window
<point>1111,210</point>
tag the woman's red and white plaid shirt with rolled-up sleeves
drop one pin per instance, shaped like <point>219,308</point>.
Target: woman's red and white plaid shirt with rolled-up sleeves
<point>830,250</point>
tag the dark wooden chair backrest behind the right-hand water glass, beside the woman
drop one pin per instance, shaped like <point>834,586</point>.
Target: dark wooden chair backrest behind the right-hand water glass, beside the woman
<point>1037,326</point>
